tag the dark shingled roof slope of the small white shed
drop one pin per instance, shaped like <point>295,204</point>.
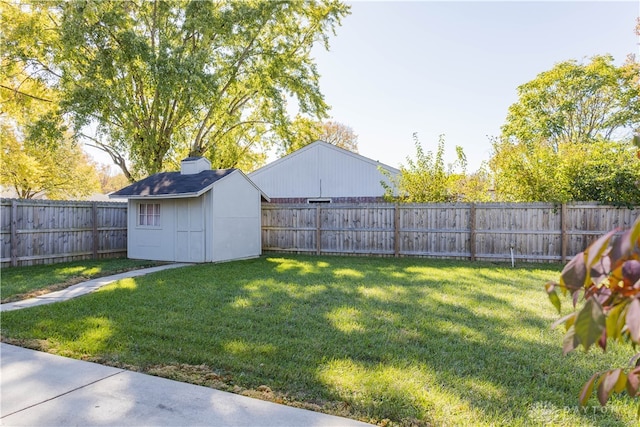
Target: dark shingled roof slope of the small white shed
<point>172,184</point>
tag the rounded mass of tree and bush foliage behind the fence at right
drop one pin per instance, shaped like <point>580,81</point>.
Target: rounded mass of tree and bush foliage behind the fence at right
<point>568,136</point>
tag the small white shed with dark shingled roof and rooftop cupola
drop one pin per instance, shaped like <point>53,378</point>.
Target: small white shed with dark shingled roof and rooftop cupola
<point>195,215</point>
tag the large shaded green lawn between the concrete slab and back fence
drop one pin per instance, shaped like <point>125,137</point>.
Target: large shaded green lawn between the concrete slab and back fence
<point>389,341</point>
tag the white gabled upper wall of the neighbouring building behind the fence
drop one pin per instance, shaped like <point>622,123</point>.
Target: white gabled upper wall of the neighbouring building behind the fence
<point>322,173</point>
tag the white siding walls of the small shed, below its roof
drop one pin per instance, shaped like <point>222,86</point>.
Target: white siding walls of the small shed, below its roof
<point>221,224</point>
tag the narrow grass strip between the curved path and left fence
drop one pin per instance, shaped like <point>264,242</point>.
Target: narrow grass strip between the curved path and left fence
<point>22,282</point>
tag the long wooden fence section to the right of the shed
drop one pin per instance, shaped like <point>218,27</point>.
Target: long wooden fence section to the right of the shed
<point>488,231</point>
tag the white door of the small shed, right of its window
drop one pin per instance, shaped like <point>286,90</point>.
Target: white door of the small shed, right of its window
<point>190,230</point>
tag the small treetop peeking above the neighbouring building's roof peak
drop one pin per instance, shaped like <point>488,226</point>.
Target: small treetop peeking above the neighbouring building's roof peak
<point>304,131</point>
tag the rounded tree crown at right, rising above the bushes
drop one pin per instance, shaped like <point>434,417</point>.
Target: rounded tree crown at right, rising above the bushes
<point>577,103</point>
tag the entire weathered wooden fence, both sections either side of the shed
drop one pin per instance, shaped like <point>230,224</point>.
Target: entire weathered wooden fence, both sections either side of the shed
<point>43,231</point>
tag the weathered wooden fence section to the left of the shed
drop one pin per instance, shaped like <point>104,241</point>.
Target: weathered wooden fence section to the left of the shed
<point>46,231</point>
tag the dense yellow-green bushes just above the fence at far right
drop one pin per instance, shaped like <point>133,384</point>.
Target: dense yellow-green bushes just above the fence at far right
<point>602,171</point>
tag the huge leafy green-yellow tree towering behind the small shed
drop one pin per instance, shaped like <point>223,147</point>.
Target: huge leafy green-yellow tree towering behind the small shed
<point>160,79</point>
